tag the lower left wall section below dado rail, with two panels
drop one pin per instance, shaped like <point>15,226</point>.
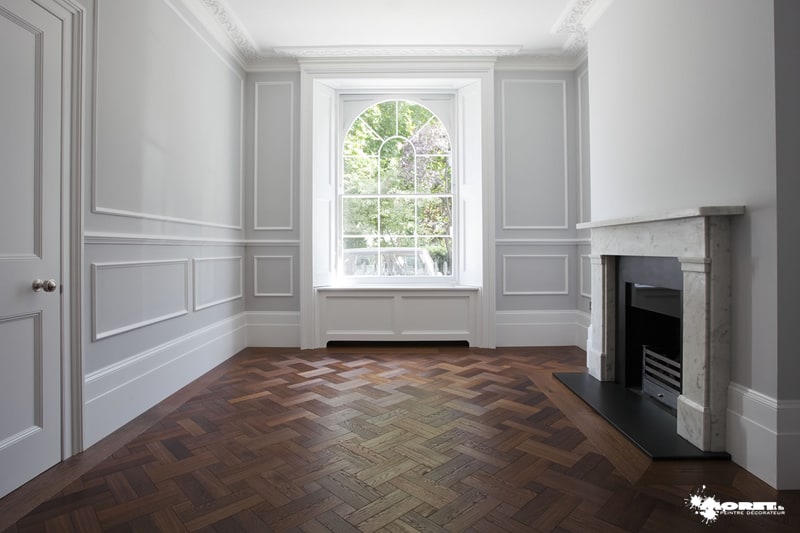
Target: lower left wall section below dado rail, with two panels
<point>142,296</point>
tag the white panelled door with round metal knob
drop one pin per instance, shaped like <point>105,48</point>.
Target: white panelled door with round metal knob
<point>30,246</point>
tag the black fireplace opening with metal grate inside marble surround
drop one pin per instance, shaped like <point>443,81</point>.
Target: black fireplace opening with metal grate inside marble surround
<point>649,332</point>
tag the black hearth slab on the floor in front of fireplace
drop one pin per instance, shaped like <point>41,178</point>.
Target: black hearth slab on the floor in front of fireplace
<point>649,426</point>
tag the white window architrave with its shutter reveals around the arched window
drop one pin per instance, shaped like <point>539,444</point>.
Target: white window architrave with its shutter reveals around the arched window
<point>320,80</point>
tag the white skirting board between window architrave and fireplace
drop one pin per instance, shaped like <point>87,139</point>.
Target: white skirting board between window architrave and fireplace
<point>542,328</point>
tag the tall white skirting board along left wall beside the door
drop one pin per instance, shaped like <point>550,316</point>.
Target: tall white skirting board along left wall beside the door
<point>119,393</point>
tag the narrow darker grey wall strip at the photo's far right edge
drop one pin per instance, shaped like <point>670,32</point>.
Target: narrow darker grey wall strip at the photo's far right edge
<point>787,111</point>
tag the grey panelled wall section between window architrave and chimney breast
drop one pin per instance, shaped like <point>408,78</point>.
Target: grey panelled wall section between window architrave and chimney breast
<point>538,125</point>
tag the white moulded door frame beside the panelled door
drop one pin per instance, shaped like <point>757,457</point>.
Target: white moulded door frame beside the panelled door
<point>73,16</point>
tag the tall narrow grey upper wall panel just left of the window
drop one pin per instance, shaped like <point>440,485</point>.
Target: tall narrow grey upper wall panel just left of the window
<point>274,155</point>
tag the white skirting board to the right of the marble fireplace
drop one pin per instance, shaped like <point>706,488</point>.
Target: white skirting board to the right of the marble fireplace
<point>763,435</point>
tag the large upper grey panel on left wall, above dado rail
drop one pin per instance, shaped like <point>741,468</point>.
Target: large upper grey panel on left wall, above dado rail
<point>169,119</point>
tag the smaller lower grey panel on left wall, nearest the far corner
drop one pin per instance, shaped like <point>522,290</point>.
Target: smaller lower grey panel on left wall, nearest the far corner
<point>217,280</point>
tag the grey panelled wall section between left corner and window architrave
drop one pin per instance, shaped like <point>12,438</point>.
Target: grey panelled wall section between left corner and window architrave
<point>272,198</point>
